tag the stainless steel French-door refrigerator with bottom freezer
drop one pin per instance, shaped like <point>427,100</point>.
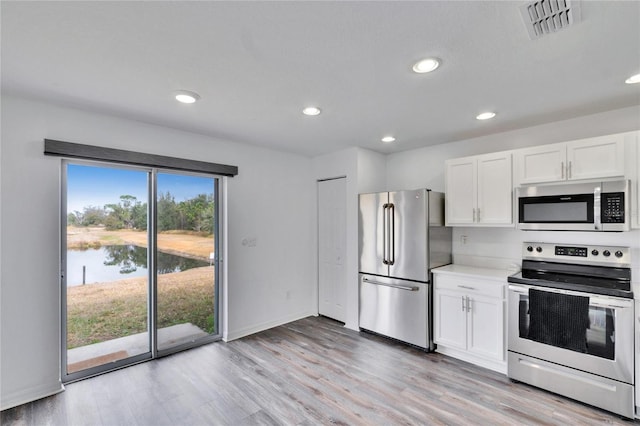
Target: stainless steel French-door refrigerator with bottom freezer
<point>402,237</point>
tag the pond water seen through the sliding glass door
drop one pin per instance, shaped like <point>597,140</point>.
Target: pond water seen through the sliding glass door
<point>112,263</point>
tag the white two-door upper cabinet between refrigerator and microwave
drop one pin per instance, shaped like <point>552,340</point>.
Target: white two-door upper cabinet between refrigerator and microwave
<point>479,190</point>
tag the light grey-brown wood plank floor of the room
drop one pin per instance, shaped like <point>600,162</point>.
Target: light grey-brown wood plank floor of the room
<point>309,372</point>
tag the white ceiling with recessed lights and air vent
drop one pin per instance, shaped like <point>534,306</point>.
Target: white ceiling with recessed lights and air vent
<point>257,64</point>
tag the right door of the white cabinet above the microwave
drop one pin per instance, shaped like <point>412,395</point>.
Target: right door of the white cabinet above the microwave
<point>596,157</point>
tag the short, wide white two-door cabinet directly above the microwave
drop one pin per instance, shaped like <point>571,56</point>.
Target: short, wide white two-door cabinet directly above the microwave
<point>593,158</point>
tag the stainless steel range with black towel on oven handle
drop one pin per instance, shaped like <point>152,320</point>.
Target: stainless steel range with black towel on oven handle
<point>571,320</point>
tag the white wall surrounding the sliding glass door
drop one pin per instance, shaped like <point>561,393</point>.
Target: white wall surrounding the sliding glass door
<point>270,200</point>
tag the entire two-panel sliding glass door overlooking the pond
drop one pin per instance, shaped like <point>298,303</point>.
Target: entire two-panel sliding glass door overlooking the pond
<point>139,276</point>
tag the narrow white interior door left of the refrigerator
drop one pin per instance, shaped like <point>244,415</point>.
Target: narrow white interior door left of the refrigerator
<point>331,248</point>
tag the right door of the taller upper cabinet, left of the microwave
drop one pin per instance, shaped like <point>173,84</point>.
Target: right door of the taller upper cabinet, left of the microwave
<point>494,189</point>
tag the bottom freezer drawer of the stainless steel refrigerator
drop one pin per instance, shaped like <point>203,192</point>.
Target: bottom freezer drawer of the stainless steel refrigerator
<point>395,308</point>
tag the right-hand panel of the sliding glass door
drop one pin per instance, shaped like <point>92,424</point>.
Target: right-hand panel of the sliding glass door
<point>186,224</point>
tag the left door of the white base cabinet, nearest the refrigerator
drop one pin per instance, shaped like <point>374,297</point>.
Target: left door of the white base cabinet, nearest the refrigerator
<point>450,322</point>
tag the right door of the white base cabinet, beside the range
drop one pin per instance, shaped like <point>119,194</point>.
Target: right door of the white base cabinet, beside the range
<point>485,327</point>
